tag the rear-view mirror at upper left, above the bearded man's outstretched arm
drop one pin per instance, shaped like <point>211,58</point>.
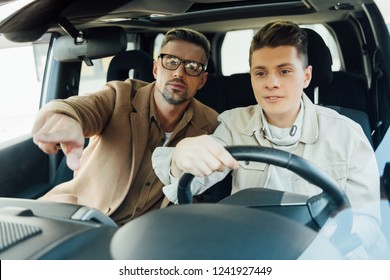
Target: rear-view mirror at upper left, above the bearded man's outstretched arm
<point>92,44</point>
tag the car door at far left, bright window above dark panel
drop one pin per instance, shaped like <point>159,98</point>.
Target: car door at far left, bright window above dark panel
<point>24,168</point>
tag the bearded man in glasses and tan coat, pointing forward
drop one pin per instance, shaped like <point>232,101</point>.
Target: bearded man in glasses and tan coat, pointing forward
<point>127,121</point>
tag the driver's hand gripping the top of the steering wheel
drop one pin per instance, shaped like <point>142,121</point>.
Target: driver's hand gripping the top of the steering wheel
<point>200,156</point>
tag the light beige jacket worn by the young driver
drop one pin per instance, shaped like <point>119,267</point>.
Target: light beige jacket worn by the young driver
<point>329,140</point>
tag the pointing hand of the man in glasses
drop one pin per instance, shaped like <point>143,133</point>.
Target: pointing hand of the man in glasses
<point>52,131</point>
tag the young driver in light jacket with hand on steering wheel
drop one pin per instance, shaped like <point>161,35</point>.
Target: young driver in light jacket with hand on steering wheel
<point>284,119</point>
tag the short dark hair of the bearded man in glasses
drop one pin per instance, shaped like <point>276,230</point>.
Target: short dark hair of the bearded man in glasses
<point>188,35</point>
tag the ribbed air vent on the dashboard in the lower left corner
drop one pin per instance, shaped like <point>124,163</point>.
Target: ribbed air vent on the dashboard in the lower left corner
<point>12,233</point>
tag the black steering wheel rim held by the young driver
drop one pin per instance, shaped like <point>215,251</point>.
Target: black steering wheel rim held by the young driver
<point>335,198</point>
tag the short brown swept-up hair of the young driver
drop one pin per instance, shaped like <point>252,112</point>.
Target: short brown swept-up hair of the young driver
<point>280,33</point>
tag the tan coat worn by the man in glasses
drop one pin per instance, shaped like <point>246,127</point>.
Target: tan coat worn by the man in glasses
<point>118,118</point>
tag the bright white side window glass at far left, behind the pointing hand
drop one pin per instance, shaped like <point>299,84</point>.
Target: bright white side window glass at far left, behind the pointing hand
<point>21,72</point>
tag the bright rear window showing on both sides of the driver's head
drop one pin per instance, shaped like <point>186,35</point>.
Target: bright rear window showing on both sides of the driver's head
<point>235,54</point>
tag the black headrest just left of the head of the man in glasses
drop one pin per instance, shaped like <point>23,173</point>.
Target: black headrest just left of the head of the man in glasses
<point>137,60</point>
